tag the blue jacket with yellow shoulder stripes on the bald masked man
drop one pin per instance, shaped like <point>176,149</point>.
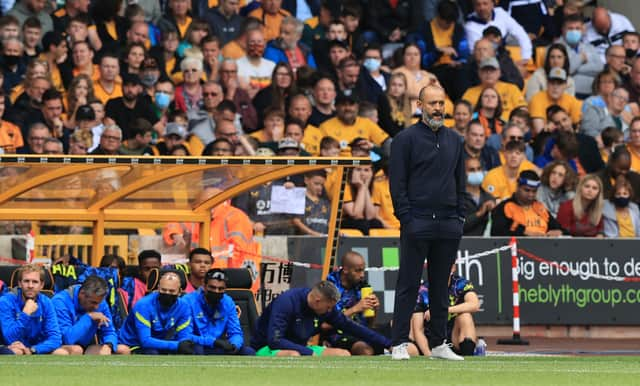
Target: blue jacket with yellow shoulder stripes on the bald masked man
<point>151,327</point>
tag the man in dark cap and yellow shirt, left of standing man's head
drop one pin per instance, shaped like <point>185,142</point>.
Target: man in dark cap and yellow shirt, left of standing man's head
<point>347,125</point>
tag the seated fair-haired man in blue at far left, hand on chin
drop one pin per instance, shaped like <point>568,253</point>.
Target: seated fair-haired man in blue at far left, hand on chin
<point>27,318</point>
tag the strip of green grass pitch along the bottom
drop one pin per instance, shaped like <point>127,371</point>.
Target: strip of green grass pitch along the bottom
<point>182,370</point>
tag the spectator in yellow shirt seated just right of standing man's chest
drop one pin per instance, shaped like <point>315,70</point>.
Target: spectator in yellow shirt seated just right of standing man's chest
<point>501,181</point>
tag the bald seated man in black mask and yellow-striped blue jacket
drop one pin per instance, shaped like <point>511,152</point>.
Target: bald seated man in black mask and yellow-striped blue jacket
<point>160,323</point>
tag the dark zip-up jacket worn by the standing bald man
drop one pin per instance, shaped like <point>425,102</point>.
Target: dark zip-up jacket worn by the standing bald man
<point>426,174</point>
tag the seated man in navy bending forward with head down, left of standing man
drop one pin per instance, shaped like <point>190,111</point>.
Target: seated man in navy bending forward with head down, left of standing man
<point>285,327</point>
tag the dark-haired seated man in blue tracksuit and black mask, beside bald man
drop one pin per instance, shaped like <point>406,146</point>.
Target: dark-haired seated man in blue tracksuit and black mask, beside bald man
<point>216,326</point>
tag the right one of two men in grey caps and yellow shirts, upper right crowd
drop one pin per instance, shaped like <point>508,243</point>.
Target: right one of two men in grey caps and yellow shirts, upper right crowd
<point>554,95</point>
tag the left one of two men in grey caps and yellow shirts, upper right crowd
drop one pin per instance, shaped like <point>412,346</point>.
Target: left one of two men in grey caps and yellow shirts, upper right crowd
<point>489,74</point>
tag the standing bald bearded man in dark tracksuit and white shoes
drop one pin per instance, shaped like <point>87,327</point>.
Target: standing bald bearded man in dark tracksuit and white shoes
<point>427,181</point>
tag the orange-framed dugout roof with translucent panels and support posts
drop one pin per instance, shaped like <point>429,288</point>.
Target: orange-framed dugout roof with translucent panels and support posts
<point>107,189</point>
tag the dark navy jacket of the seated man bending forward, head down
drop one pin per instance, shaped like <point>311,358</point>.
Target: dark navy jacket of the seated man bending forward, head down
<point>288,323</point>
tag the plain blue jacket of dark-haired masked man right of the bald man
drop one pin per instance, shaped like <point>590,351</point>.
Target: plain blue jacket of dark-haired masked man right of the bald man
<point>210,324</point>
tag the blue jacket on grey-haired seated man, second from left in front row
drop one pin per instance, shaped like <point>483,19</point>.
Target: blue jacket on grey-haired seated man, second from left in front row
<point>76,325</point>
